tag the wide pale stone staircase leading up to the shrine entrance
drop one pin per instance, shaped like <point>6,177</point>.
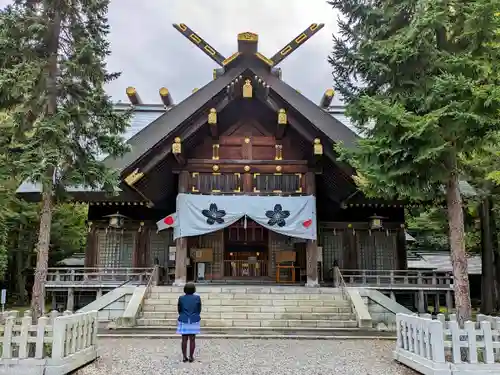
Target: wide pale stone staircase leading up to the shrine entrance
<point>260,310</point>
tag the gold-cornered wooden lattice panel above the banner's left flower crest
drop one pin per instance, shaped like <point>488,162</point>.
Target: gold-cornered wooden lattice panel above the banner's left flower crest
<point>215,182</point>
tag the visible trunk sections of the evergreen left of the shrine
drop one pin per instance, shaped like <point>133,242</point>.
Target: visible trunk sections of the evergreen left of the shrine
<point>43,244</point>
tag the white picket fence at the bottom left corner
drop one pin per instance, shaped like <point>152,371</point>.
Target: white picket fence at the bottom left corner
<point>57,345</point>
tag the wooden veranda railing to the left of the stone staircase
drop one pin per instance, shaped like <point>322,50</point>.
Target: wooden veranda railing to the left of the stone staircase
<point>78,276</point>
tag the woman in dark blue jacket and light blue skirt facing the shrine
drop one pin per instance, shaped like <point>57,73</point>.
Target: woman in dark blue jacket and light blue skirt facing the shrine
<point>188,324</point>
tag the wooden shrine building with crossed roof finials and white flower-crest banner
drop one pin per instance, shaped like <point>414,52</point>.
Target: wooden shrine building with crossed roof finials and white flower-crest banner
<point>239,181</point>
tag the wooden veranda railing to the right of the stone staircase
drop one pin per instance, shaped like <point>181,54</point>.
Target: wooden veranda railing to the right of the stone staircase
<point>398,279</point>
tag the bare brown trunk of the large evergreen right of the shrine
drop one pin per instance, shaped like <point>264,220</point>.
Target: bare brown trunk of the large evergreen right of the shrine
<point>457,244</point>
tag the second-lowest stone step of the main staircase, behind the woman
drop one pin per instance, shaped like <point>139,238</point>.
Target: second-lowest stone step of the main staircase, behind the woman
<point>254,316</point>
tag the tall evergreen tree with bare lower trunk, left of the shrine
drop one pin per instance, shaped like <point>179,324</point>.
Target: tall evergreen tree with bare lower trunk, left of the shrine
<point>52,76</point>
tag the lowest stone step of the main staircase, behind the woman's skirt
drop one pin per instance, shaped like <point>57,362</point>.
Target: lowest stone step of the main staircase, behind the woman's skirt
<point>247,323</point>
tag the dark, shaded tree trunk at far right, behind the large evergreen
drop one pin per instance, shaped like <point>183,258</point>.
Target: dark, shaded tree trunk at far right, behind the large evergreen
<point>487,279</point>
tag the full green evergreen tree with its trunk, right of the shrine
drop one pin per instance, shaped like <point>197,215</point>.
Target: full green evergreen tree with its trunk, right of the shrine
<point>420,79</point>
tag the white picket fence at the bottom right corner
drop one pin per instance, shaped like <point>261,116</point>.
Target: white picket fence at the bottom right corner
<point>437,347</point>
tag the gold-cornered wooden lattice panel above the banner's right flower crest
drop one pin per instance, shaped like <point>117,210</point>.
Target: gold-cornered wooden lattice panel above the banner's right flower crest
<point>277,183</point>
